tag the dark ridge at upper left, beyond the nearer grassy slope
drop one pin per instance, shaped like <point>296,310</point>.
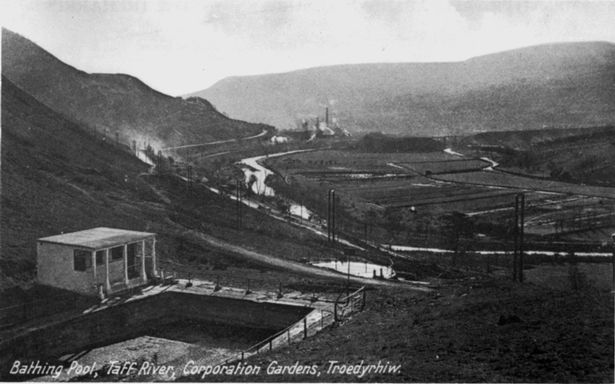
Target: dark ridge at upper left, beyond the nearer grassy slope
<point>114,103</point>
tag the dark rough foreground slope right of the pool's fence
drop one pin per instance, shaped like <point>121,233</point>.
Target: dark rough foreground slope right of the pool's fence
<point>471,331</point>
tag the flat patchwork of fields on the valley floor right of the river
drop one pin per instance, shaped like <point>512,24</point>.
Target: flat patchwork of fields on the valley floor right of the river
<point>436,183</point>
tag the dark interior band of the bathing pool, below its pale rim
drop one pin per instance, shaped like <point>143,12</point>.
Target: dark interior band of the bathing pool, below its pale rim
<point>133,318</point>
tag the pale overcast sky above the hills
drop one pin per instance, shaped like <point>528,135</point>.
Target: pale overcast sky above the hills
<point>180,46</point>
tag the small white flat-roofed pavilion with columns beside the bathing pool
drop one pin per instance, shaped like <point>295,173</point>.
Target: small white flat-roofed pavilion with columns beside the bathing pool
<point>97,260</point>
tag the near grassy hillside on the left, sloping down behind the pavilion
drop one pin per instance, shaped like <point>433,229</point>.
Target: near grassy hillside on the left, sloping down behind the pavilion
<point>58,177</point>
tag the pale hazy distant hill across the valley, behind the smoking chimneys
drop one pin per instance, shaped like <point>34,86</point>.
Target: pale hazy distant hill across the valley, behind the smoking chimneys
<point>556,84</point>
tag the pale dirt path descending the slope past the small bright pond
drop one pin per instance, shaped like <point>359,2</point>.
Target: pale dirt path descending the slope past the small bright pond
<point>299,267</point>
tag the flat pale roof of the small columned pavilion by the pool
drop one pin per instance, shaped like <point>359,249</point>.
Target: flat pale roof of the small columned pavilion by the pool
<point>98,238</point>
